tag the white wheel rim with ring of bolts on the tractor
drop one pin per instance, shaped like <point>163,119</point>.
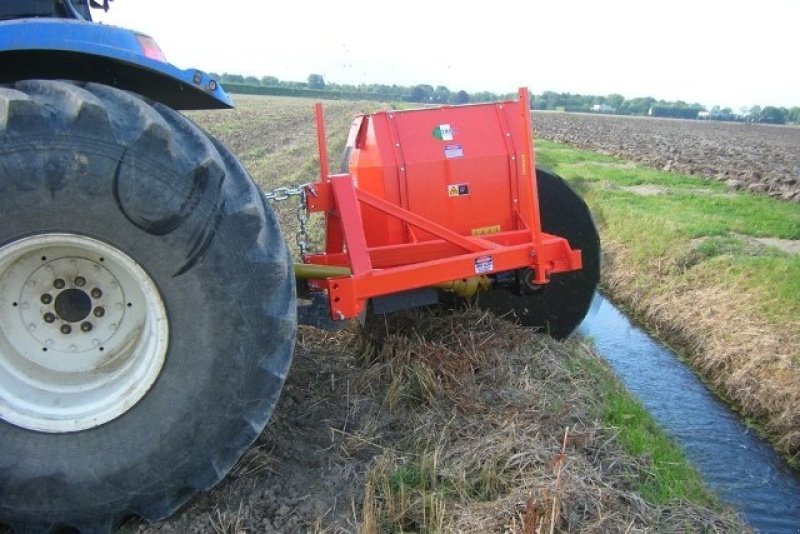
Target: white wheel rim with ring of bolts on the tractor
<point>83,333</point>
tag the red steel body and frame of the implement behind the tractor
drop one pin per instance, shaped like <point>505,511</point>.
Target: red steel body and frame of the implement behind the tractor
<point>433,195</point>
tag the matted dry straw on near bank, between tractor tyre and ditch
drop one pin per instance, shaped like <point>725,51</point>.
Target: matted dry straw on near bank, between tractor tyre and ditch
<point>499,434</point>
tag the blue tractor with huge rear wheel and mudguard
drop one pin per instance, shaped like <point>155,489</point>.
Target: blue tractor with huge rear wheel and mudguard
<point>147,302</point>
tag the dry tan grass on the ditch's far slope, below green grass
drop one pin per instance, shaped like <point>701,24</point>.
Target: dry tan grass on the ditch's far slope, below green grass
<point>752,361</point>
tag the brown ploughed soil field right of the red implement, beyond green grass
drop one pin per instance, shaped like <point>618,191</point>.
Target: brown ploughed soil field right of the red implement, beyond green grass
<point>763,159</point>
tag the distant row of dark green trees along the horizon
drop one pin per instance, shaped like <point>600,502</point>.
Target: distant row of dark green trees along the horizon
<point>549,100</point>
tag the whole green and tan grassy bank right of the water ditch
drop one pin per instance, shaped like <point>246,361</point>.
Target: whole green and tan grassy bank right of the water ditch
<point>710,270</point>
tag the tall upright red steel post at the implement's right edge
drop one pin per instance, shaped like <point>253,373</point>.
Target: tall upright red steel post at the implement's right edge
<point>528,173</point>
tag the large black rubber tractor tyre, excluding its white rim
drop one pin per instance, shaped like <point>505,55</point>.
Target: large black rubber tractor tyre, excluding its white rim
<point>94,161</point>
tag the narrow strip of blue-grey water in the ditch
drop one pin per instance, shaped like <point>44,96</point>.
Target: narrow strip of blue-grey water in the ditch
<point>734,460</point>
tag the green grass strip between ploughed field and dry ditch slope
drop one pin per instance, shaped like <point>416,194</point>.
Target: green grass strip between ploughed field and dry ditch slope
<point>689,218</point>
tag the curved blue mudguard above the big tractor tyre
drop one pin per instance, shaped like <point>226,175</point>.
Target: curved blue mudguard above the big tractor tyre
<point>37,48</point>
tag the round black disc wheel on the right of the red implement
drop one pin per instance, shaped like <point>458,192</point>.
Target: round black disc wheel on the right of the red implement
<point>560,306</point>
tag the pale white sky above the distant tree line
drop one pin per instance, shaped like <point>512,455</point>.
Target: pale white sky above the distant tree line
<point>731,53</point>
